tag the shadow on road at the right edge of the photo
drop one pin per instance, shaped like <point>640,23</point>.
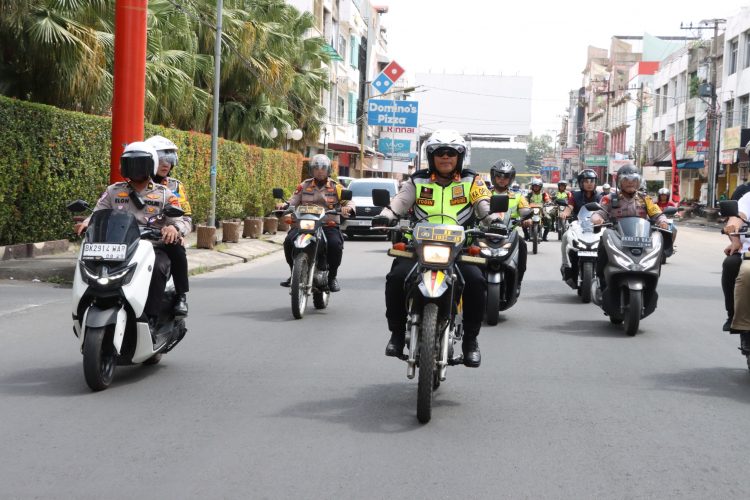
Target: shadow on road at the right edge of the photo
<point>717,382</point>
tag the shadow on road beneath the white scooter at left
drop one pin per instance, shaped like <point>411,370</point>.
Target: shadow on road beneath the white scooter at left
<point>66,380</point>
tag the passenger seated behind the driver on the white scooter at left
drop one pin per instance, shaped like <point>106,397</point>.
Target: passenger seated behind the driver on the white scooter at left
<point>167,151</point>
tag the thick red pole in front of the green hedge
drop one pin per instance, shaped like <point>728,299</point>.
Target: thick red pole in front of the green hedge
<point>129,79</point>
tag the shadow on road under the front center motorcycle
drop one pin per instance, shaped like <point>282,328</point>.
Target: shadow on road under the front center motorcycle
<point>379,408</point>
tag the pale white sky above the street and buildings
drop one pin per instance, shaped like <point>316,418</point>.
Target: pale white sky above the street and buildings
<point>546,40</point>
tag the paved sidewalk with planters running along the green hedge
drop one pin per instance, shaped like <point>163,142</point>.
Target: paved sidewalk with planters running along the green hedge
<point>59,267</point>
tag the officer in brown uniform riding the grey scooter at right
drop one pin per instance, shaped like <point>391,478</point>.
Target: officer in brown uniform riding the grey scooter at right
<point>627,202</point>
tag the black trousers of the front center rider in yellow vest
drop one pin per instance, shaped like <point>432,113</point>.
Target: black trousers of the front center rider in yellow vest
<point>474,296</point>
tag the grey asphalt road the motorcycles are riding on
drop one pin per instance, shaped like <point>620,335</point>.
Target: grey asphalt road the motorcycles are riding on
<point>255,404</point>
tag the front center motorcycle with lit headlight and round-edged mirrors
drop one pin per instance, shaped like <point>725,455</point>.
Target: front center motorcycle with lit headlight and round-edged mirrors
<point>433,296</point>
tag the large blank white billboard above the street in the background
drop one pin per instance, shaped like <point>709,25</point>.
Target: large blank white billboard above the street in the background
<point>474,104</point>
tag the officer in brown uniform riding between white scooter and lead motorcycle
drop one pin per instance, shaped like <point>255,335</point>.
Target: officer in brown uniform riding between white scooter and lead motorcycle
<point>320,190</point>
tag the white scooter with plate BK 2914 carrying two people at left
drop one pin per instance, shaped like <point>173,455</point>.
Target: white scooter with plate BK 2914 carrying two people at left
<point>110,288</point>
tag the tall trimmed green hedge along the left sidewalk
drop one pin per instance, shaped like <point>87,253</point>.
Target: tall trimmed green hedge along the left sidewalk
<point>49,157</point>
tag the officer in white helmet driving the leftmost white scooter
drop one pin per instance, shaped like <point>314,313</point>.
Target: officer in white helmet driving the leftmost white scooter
<point>144,198</point>
